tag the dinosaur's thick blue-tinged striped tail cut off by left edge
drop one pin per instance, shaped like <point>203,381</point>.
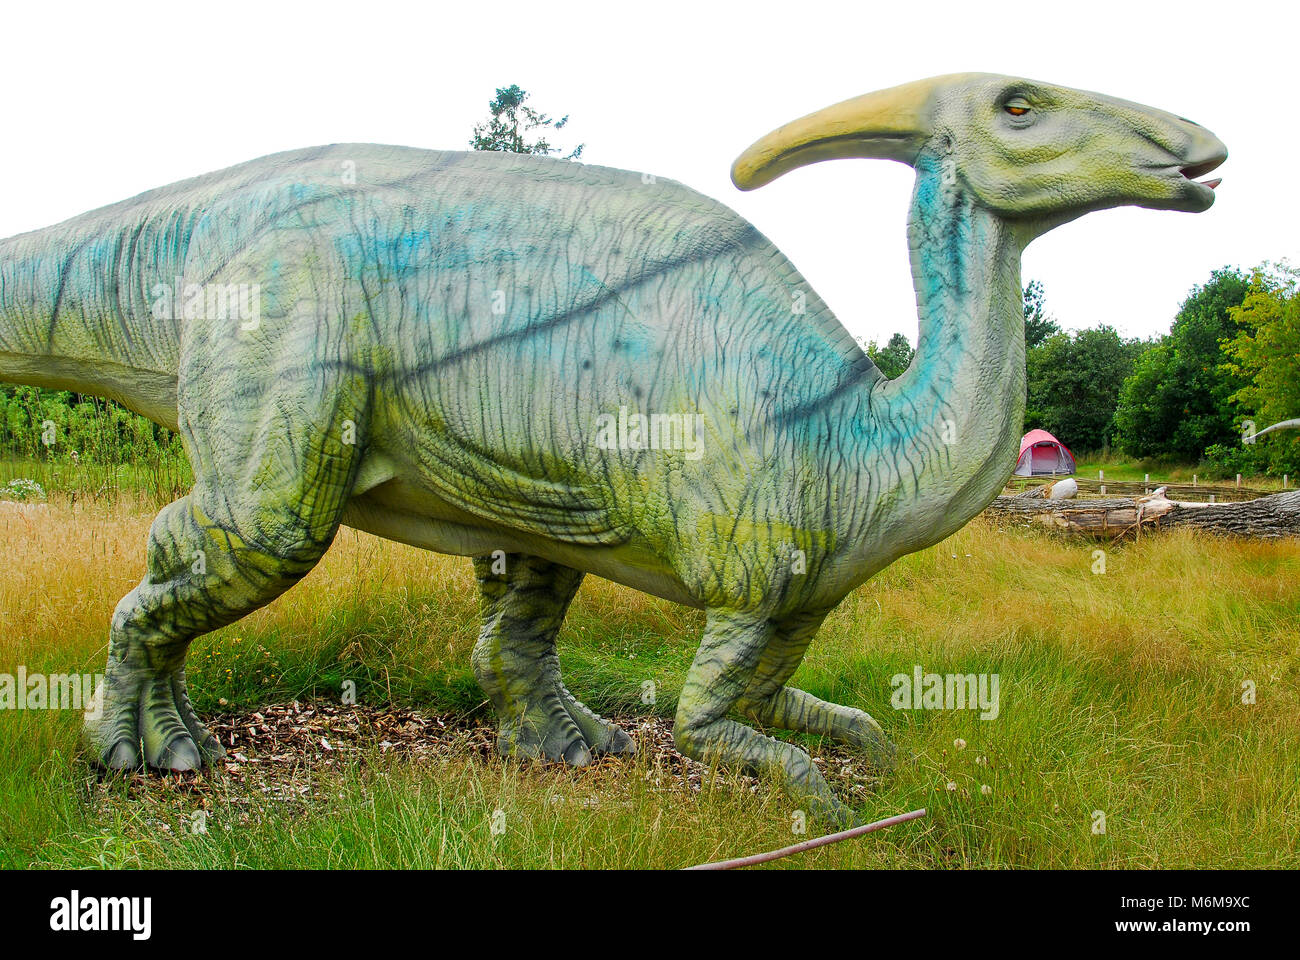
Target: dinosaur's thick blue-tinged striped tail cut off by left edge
<point>76,317</point>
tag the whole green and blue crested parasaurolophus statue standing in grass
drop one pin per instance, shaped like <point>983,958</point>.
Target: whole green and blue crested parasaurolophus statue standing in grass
<point>558,370</point>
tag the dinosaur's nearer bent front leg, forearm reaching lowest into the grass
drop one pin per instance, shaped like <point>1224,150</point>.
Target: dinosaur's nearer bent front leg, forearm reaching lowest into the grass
<point>725,667</point>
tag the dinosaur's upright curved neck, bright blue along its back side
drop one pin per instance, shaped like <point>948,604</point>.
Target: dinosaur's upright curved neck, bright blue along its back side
<point>943,438</point>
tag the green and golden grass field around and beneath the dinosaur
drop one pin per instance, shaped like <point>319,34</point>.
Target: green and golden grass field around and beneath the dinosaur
<point>1121,693</point>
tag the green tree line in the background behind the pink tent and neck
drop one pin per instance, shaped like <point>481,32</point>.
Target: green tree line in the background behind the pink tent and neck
<point>1230,362</point>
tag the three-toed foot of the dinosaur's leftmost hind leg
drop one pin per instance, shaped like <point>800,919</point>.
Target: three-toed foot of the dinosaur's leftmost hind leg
<point>148,721</point>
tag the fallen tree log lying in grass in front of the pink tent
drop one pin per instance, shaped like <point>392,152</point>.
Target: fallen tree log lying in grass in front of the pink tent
<point>1272,517</point>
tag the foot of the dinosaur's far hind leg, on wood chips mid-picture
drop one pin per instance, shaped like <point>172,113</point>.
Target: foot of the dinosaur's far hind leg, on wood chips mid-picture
<point>561,728</point>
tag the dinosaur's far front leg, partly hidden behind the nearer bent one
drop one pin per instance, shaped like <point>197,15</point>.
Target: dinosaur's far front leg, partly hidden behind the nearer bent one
<point>772,703</point>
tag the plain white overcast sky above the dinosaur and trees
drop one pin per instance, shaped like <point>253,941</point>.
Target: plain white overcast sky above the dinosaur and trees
<point>105,101</point>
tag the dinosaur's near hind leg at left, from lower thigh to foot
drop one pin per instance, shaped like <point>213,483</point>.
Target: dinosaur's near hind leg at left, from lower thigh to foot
<point>214,556</point>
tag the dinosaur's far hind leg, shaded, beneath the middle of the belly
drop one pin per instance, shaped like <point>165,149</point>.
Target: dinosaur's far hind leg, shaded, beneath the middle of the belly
<point>525,604</point>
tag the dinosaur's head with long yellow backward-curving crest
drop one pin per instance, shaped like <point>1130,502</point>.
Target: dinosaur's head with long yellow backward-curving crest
<point>1028,152</point>
